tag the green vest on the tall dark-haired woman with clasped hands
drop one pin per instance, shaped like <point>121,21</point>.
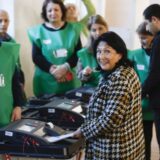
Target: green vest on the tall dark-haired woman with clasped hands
<point>57,47</point>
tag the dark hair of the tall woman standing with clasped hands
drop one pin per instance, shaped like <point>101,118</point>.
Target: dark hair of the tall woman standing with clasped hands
<point>59,2</point>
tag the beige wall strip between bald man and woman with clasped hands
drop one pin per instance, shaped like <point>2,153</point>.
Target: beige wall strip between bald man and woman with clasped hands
<point>27,13</point>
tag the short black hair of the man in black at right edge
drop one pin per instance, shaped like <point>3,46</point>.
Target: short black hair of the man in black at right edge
<point>152,10</point>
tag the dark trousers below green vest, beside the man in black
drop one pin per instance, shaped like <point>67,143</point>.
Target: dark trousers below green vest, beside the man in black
<point>148,125</point>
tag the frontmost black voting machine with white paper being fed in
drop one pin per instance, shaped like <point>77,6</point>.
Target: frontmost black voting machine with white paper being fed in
<point>34,138</point>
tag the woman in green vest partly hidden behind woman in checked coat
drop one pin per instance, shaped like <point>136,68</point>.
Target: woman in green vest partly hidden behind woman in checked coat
<point>87,64</point>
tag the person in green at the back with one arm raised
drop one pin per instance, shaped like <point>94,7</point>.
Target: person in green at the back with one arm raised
<point>72,15</point>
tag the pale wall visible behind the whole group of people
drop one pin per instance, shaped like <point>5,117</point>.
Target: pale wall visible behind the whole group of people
<point>123,16</point>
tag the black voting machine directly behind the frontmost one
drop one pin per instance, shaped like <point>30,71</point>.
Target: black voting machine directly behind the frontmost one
<point>62,112</point>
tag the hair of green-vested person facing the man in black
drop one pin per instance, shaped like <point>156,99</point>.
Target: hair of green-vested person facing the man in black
<point>141,29</point>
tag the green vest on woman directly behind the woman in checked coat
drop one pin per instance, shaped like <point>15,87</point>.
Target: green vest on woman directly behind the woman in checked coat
<point>88,59</point>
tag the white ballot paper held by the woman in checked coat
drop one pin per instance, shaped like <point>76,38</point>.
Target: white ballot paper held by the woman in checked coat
<point>52,139</point>
